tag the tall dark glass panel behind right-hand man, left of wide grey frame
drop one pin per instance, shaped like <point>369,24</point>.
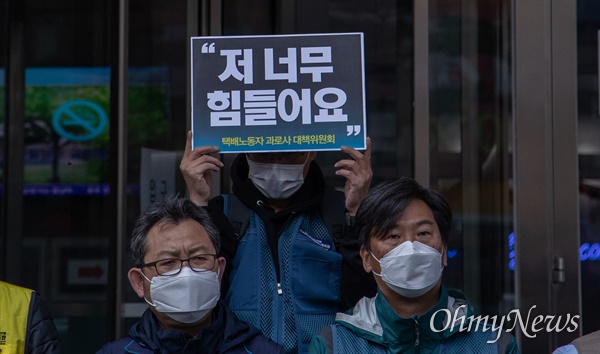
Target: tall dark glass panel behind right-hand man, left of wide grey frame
<point>470,144</point>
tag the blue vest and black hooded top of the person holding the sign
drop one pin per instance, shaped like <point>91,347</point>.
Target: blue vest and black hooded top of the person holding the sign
<point>288,272</point>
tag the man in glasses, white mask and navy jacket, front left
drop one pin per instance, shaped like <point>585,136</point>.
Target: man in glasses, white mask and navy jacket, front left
<point>178,271</point>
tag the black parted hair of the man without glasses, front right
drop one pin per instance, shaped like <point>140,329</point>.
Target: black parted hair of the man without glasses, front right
<point>383,207</point>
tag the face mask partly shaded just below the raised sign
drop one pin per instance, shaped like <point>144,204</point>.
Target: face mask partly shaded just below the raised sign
<point>276,181</point>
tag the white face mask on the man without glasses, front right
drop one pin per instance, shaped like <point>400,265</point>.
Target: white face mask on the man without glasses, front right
<point>411,269</point>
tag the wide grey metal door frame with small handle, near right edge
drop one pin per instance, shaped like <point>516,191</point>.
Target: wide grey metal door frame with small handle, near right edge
<point>545,170</point>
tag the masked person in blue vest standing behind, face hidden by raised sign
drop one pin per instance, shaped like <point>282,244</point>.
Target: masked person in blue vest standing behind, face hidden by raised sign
<point>292,253</point>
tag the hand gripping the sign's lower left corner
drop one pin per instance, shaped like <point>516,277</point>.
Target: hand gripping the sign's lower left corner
<point>196,167</point>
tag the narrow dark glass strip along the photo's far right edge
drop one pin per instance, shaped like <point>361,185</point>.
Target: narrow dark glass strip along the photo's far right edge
<point>588,150</point>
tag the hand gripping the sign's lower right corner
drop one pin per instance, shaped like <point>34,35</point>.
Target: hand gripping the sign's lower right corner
<point>358,175</point>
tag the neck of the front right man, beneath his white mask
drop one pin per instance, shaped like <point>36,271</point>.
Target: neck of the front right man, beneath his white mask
<point>407,307</point>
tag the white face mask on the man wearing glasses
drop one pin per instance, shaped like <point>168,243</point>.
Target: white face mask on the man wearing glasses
<point>186,297</point>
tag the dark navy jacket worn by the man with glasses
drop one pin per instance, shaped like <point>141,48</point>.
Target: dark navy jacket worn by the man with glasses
<point>226,334</point>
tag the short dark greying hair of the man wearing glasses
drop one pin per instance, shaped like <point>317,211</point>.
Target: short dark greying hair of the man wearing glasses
<point>172,211</point>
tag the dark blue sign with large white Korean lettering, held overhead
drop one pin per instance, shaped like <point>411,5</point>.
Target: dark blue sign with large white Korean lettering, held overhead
<point>278,93</point>
